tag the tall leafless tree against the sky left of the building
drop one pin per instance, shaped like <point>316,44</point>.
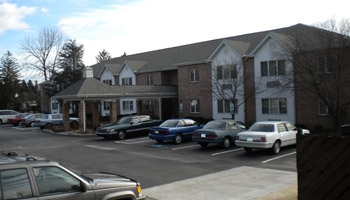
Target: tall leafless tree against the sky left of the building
<point>42,50</point>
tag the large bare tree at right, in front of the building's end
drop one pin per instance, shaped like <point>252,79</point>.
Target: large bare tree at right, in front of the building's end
<point>322,72</point>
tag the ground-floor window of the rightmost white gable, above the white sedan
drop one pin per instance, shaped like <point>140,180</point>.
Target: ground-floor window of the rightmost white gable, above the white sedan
<point>274,106</point>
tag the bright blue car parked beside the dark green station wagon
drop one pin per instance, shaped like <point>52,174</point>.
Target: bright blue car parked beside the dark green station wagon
<point>175,130</point>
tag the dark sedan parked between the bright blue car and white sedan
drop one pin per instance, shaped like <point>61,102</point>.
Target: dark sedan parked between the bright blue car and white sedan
<point>221,132</point>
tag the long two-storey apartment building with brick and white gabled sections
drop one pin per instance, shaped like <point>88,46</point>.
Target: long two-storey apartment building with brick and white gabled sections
<point>249,77</point>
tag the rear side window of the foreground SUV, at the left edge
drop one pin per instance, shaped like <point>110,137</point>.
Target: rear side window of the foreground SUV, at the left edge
<point>15,184</point>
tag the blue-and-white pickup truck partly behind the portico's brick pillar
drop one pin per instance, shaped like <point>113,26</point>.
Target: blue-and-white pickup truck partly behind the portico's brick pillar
<point>49,120</point>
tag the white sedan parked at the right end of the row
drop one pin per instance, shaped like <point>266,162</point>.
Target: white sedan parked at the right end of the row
<point>268,135</point>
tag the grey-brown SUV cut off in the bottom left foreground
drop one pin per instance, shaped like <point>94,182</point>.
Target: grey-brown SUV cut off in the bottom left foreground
<point>27,177</point>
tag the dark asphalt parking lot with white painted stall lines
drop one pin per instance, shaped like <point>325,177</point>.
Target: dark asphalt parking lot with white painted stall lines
<point>153,165</point>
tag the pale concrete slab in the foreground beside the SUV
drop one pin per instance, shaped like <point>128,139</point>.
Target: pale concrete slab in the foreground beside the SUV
<point>242,183</point>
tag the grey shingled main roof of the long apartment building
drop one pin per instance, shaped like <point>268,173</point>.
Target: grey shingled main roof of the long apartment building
<point>169,58</point>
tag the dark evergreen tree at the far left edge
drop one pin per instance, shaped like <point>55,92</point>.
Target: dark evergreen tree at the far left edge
<point>9,78</point>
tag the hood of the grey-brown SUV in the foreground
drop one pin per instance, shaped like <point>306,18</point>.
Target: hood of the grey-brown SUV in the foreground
<point>106,180</point>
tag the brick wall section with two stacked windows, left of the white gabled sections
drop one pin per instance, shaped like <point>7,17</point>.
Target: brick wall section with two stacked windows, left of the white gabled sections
<point>201,90</point>
